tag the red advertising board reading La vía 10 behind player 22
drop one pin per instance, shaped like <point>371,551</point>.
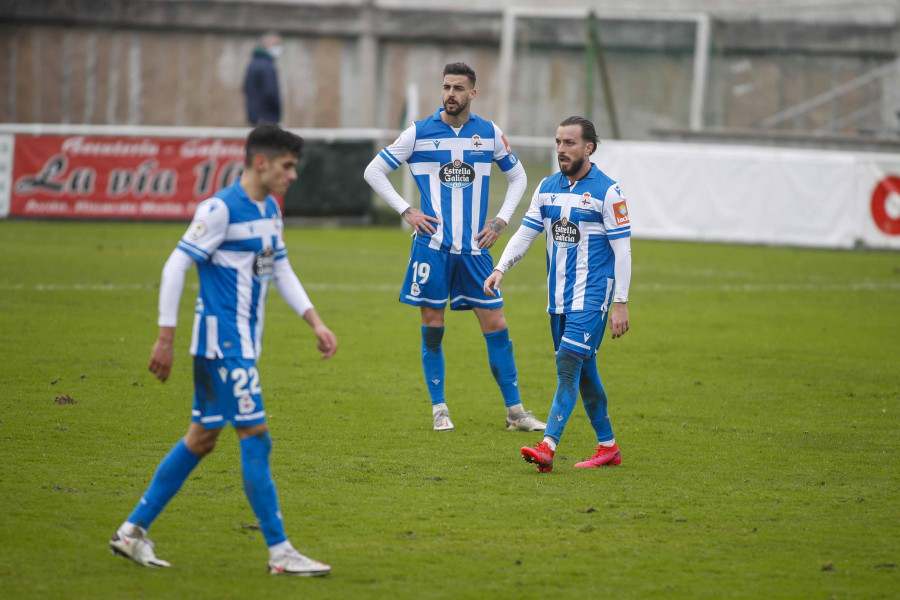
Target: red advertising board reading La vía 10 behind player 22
<point>106,177</point>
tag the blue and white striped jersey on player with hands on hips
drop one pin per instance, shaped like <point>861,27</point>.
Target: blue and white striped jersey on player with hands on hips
<point>452,172</point>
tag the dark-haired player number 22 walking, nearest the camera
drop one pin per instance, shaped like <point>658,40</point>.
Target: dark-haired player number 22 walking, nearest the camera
<point>236,241</point>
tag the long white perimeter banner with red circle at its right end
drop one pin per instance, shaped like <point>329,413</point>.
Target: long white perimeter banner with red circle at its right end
<point>757,195</point>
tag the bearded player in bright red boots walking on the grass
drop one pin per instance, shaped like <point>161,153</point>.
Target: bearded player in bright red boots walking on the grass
<point>585,218</point>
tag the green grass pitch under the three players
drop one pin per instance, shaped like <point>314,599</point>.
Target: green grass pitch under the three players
<point>756,400</point>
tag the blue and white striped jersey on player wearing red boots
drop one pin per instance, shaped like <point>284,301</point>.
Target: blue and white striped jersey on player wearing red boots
<point>579,220</point>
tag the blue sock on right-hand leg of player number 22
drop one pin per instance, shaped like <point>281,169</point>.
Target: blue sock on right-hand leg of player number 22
<point>260,487</point>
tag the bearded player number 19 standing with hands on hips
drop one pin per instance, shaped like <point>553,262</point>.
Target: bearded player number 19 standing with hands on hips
<point>450,155</point>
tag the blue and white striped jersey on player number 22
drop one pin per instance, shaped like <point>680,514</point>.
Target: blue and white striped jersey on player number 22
<point>235,242</point>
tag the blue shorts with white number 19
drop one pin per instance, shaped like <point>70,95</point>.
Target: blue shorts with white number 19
<point>433,276</point>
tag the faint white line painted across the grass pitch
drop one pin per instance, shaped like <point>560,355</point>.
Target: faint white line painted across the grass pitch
<point>862,286</point>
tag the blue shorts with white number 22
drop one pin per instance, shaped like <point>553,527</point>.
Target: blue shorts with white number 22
<point>227,389</point>
